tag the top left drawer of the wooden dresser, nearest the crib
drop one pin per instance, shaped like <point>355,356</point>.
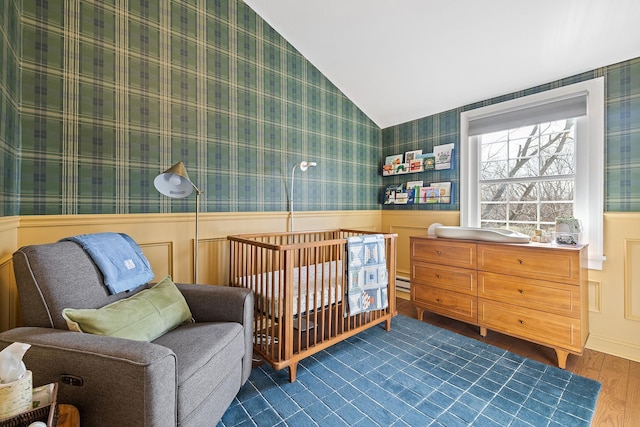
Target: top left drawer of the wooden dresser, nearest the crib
<point>437,251</point>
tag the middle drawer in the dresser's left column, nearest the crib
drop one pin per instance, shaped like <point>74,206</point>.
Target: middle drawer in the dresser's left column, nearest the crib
<point>443,277</point>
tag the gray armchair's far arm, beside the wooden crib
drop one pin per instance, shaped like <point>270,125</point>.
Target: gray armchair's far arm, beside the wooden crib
<point>209,303</point>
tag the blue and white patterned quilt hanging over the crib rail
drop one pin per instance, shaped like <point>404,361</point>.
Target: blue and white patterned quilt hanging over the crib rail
<point>367,273</point>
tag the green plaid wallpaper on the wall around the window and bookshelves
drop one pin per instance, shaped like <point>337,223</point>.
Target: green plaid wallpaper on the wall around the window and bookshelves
<point>622,137</point>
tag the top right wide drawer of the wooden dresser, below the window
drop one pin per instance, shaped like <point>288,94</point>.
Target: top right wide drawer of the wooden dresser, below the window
<point>525,261</point>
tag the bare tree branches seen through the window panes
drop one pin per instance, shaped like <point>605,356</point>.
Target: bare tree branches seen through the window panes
<point>527,176</point>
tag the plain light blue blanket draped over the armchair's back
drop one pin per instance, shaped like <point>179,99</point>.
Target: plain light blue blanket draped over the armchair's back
<point>118,257</point>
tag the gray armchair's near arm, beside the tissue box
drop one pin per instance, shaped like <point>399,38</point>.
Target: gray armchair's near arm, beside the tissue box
<point>115,373</point>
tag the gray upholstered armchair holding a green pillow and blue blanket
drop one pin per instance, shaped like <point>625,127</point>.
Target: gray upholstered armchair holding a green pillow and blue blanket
<point>186,377</point>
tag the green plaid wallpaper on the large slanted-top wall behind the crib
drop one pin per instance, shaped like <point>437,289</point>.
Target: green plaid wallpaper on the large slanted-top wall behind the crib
<point>115,92</point>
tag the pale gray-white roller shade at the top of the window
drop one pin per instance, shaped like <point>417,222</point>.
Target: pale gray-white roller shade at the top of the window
<point>557,109</point>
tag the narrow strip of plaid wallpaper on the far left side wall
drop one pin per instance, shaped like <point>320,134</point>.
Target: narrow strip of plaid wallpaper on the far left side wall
<point>9,108</point>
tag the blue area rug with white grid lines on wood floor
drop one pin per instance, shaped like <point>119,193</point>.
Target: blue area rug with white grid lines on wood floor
<point>415,375</point>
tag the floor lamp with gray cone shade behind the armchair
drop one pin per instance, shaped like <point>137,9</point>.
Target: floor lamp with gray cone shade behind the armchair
<point>175,183</point>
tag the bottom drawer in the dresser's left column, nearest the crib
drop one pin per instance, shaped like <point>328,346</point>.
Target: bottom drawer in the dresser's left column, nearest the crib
<point>451,304</point>
